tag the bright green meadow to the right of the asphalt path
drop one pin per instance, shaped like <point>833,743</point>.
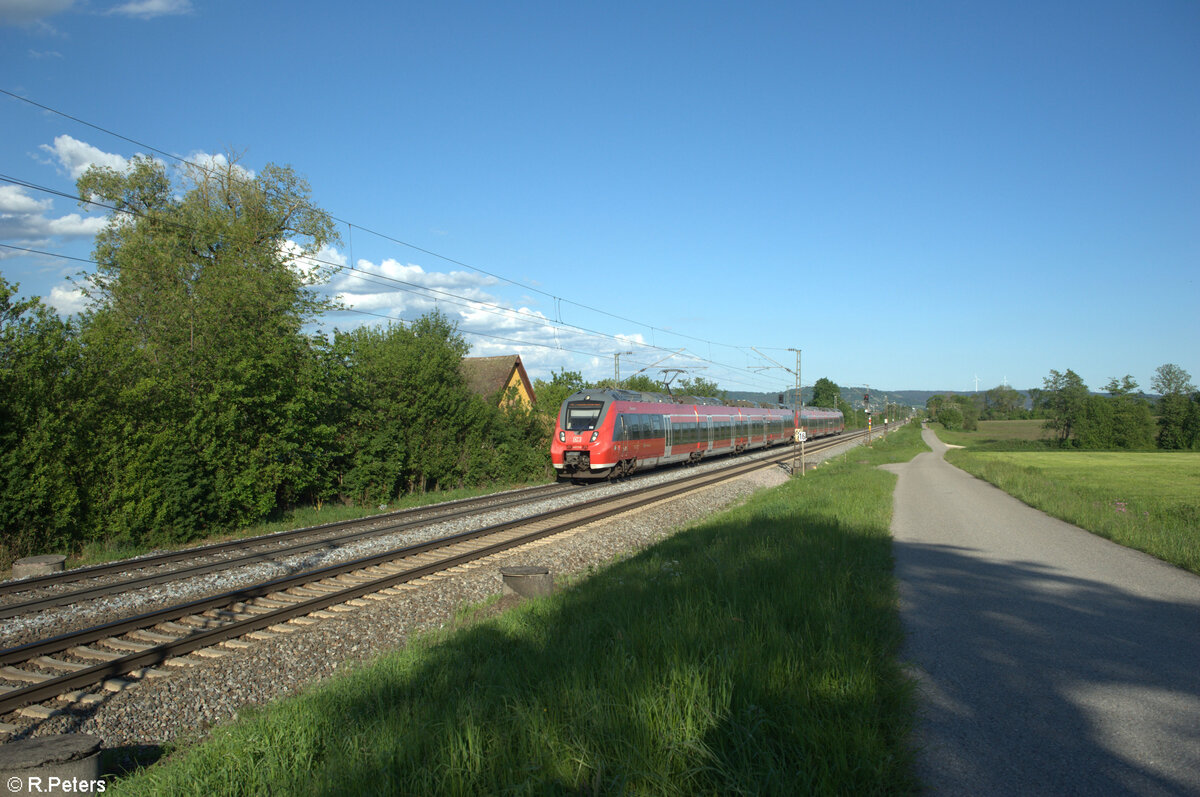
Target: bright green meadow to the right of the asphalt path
<point>1145,501</point>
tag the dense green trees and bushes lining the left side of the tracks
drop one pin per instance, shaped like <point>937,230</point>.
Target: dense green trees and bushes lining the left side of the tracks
<point>189,399</point>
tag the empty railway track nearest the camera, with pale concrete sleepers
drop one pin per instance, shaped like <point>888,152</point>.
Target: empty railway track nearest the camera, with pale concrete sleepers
<point>76,669</point>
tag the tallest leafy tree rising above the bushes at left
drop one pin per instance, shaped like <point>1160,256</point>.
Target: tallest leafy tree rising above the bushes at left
<point>196,309</point>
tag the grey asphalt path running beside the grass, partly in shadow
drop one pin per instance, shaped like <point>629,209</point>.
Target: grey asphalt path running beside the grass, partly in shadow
<point>1049,661</point>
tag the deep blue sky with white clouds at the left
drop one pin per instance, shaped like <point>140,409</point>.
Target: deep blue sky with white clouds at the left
<point>914,194</point>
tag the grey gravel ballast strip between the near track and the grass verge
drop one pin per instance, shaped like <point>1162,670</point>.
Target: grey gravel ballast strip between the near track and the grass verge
<point>190,700</point>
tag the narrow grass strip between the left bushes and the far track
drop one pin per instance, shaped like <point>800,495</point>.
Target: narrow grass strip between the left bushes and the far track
<point>298,518</point>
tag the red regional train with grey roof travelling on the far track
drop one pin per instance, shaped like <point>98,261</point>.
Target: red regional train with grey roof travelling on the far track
<point>604,434</point>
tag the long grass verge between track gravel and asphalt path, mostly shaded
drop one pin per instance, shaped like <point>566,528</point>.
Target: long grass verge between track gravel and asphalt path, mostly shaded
<point>754,654</point>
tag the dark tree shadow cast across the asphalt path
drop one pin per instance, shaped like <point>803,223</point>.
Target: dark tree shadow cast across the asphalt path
<point>1037,682</point>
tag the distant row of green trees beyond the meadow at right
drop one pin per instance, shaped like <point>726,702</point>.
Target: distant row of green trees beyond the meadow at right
<point>1123,418</point>
